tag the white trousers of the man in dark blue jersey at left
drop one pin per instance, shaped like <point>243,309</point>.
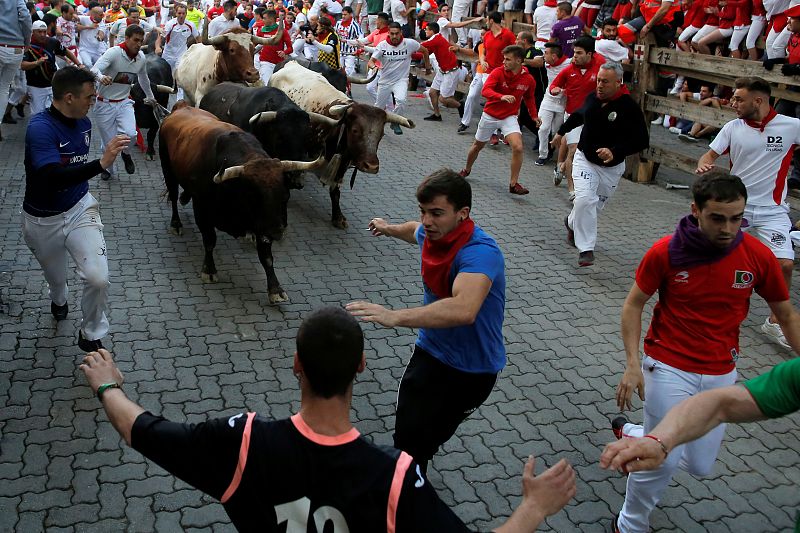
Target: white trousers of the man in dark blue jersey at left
<point>78,232</point>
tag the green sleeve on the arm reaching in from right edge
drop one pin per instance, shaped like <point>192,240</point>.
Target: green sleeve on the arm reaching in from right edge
<point>777,392</point>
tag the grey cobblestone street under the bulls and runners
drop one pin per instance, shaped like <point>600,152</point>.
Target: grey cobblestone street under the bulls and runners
<point>191,350</point>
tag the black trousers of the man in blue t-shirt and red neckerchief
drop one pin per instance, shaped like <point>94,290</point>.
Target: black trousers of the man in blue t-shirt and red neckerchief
<point>432,401</point>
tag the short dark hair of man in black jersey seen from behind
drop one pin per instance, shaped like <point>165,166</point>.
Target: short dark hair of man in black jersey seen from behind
<point>330,345</point>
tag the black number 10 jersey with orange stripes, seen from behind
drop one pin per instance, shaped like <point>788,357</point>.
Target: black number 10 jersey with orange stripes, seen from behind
<point>267,473</point>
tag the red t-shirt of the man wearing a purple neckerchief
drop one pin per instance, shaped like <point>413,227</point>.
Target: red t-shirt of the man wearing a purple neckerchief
<point>695,324</point>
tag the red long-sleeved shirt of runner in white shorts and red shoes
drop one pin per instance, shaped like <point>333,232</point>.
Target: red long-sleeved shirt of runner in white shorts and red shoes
<point>501,82</point>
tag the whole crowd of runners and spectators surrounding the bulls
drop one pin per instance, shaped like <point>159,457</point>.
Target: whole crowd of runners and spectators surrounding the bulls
<point>559,81</point>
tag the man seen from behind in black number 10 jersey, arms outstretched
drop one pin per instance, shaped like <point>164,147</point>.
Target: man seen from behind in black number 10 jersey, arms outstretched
<point>314,467</point>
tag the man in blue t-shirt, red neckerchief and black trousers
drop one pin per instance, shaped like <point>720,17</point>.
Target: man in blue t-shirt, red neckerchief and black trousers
<point>459,351</point>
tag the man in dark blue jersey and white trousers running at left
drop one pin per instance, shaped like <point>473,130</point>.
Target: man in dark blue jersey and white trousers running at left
<point>59,215</point>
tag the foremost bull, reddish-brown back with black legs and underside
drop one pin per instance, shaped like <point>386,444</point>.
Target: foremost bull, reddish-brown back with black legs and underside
<point>233,184</point>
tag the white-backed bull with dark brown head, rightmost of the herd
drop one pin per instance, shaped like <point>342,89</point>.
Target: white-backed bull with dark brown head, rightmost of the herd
<point>354,143</point>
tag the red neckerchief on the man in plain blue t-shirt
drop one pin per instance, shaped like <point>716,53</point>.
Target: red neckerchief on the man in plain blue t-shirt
<point>438,256</point>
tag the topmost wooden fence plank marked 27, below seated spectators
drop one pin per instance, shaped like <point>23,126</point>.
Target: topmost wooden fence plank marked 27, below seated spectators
<point>721,66</point>
